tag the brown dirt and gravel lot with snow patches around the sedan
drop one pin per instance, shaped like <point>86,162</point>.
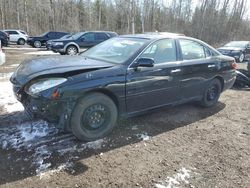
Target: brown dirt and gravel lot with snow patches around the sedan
<point>185,146</point>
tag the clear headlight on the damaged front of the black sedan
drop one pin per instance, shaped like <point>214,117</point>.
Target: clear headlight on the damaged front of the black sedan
<point>45,84</point>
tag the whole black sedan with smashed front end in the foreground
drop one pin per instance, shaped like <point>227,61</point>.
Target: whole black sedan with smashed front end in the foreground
<point>123,76</point>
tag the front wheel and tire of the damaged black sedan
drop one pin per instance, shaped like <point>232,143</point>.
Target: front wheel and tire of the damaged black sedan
<point>94,117</point>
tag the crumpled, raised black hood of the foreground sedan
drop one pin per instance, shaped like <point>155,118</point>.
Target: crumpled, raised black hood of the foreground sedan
<point>30,69</point>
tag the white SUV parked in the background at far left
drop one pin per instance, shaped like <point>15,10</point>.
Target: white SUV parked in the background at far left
<point>17,36</point>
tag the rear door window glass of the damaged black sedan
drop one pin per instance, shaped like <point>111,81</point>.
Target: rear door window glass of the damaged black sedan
<point>191,50</point>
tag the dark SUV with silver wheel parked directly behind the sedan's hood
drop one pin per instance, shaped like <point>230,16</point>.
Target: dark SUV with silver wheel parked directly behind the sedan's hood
<point>73,44</point>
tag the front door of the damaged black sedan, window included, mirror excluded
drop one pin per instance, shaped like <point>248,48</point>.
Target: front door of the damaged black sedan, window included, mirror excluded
<point>149,87</point>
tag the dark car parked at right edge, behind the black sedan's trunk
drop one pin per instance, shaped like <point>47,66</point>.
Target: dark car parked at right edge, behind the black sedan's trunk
<point>240,50</point>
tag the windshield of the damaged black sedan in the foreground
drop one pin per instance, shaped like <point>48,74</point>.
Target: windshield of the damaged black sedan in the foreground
<point>115,50</point>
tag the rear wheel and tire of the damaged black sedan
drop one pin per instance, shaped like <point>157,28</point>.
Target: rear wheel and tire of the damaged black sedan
<point>211,94</point>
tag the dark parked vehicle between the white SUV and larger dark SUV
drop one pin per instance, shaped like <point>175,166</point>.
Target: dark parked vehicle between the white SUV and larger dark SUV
<point>40,41</point>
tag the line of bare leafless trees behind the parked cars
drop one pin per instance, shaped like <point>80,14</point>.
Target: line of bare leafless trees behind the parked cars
<point>214,21</point>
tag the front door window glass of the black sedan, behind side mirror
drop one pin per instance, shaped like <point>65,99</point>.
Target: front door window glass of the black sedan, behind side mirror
<point>161,51</point>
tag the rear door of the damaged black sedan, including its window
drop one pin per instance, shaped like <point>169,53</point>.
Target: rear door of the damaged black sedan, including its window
<point>198,67</point>
